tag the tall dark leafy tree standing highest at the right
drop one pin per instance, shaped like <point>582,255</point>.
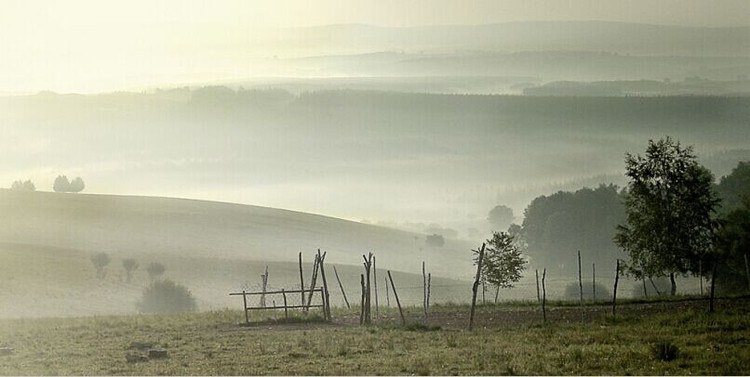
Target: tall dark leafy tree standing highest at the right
<point>669,207</point>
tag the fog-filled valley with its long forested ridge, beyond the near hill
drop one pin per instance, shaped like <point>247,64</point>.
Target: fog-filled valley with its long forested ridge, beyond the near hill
<point>375,156</point>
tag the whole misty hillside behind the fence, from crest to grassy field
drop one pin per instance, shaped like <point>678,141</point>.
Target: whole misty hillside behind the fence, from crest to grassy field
<point>46,240</point>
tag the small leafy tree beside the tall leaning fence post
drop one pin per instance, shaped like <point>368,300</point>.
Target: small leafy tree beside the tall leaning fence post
<point>503,262</point>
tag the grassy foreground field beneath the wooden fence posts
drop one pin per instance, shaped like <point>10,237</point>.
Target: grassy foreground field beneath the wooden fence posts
<point>215,343</point>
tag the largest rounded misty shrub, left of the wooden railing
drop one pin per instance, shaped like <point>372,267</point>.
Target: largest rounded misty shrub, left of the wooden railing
<point>166,296</point>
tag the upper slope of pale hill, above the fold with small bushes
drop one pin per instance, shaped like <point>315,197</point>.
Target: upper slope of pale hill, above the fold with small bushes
<point>123,225</point>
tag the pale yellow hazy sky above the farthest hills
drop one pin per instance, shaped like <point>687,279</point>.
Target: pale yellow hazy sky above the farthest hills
<point>93,46</point>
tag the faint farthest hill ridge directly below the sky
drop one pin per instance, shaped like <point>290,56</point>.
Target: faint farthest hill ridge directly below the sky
<point>626,38</point>
